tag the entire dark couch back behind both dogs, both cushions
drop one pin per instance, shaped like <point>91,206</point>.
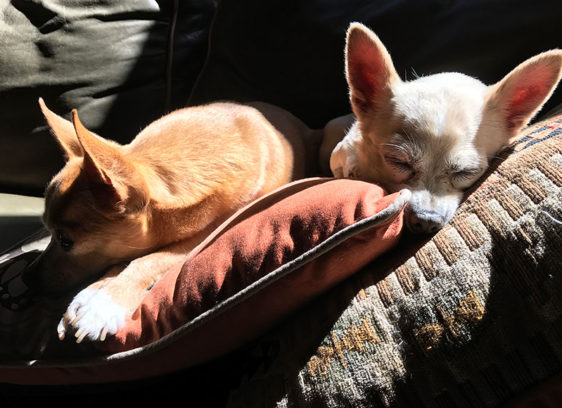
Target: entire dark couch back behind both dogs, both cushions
<point>116,62</point>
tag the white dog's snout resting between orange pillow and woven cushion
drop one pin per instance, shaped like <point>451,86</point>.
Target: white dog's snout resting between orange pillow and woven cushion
<point>427,213</point>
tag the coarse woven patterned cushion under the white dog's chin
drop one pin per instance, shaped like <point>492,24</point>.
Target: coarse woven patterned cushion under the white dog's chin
<point>470,318</point>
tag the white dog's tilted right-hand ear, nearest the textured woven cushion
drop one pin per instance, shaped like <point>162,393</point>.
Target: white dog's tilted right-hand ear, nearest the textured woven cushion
<point>522,92</point>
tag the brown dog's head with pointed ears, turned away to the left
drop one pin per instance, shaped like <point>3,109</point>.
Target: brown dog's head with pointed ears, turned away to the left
<point>94,209</point>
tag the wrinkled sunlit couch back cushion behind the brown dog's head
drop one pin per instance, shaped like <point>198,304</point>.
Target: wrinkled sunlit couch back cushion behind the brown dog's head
<point>118,62</point>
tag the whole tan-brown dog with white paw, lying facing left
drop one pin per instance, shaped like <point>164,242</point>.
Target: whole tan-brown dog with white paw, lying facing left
<point>132,211</point>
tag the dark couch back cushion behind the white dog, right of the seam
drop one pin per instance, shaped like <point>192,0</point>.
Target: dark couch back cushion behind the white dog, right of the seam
<point>291,52</point>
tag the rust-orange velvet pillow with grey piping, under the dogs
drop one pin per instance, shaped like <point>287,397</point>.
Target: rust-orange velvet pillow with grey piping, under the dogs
<point>261,264</point>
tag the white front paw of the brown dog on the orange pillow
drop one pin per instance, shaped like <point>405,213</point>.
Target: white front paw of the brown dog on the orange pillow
<point>92,314</point>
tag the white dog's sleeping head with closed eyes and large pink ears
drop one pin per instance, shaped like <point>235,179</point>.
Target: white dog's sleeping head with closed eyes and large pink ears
<point>433,135</point>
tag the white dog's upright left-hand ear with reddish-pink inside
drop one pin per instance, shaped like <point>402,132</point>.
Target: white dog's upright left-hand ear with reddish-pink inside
<point>369,70</point>
